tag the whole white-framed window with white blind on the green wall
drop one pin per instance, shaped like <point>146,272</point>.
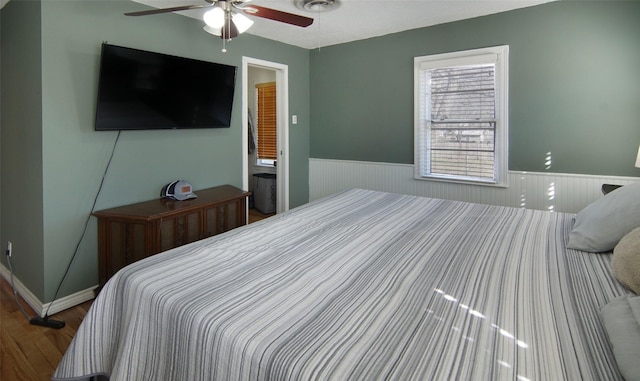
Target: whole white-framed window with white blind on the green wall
<point>461,116</point>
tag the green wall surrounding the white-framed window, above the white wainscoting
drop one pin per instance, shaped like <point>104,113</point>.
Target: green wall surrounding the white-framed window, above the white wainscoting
<point>574,88</point>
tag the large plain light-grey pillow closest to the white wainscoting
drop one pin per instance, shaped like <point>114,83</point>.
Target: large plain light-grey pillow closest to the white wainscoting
<point>599,226</point>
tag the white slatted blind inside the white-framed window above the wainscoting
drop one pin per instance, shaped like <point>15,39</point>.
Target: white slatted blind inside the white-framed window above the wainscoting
<point>462,121</point>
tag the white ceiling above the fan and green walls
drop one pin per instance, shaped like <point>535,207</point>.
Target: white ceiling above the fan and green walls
<point>358,19</point>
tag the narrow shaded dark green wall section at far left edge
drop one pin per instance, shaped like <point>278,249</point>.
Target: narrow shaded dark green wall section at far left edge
<point>21,138</point>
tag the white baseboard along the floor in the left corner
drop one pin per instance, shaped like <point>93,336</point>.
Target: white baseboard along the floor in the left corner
<point>52,307</point>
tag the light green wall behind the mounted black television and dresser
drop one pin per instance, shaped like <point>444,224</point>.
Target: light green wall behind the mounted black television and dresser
<point>72,157</point>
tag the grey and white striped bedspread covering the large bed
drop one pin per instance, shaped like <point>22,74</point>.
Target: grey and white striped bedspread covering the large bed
<point>361,285</point>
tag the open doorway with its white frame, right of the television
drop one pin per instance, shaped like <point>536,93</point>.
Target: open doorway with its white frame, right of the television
<point>266,175</point>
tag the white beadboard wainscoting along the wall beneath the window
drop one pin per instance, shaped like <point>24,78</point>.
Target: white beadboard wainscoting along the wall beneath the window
<point>533,190</point>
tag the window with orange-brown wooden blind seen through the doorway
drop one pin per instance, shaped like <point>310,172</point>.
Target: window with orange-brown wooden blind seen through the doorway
<point>266,131</point>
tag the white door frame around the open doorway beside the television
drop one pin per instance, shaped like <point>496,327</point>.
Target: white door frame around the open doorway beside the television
<point>282,112</point>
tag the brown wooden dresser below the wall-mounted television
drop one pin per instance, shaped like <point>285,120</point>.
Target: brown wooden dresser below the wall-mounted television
<point>132,232</point>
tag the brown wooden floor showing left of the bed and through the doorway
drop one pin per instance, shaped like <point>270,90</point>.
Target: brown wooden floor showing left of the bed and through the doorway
<point>30,352</point>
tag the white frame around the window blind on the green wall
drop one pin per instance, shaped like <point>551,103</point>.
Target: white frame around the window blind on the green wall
<point>498,55</point>
